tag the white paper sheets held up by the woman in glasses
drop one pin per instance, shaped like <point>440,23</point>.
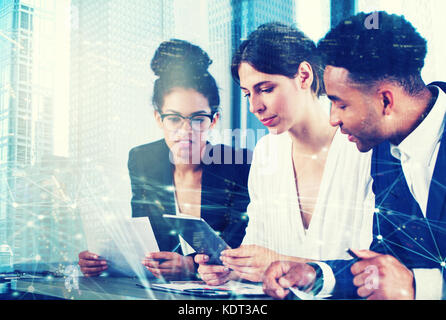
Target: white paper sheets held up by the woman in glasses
<point>124,242</point>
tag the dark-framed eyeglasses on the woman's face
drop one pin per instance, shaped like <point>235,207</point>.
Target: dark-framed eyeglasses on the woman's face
<point>198,122</point>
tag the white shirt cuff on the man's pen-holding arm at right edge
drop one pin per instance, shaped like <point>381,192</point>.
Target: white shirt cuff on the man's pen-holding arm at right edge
<point>428,284</point>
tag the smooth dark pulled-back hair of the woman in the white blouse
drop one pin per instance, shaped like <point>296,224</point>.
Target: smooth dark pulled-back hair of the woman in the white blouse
<point>276,48</point>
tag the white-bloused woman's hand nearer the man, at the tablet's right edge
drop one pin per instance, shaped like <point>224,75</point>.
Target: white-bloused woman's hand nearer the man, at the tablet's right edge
<point>249,262</point>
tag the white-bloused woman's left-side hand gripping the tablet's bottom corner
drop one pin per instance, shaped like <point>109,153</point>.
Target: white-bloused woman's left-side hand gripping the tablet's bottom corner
<point>213,275</point>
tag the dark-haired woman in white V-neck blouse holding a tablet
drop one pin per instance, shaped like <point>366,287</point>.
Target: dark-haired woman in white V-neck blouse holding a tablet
<point>310,188</point>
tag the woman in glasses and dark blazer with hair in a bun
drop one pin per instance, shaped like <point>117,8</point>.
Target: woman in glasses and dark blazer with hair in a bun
<point>184,173</point>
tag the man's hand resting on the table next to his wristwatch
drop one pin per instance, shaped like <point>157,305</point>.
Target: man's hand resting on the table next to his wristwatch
<point>282,275</point>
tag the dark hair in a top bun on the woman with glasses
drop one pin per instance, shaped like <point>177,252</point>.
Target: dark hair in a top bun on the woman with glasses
<point>180,64</point>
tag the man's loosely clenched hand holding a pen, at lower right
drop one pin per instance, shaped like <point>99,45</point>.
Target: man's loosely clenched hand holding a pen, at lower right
<point>381,277</point>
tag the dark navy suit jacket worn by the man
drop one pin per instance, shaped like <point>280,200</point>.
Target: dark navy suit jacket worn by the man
<point>399,227</point>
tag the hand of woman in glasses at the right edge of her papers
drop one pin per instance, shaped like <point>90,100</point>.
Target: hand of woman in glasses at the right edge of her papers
<point>169,265</point>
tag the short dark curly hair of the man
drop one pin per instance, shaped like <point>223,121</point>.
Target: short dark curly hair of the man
<point>394,52</point>
